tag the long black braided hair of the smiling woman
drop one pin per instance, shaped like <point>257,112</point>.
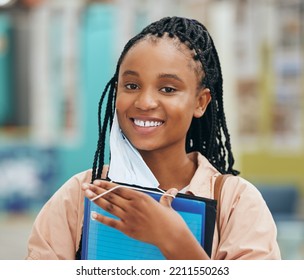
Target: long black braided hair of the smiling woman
<point>209,134</point>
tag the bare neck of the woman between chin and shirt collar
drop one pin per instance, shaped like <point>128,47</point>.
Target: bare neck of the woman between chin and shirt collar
<point>172,170</point>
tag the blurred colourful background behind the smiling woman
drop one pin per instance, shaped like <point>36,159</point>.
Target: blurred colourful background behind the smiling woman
<point>56,57</point>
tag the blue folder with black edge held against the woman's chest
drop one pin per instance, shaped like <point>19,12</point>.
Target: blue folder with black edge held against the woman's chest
<point>101,242</point>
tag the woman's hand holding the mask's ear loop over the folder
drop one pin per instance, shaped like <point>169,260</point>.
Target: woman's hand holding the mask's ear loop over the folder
<point>143,218</point>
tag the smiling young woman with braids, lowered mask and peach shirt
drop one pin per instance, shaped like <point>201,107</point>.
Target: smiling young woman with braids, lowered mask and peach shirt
<point>165,103</point>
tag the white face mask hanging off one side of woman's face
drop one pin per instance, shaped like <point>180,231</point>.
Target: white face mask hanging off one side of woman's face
<point>127,165</point>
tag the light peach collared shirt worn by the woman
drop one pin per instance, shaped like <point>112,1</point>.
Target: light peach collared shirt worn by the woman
<point>247,229</point>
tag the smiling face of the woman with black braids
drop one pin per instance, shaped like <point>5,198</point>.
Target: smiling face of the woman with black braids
<point>158,94</point>
